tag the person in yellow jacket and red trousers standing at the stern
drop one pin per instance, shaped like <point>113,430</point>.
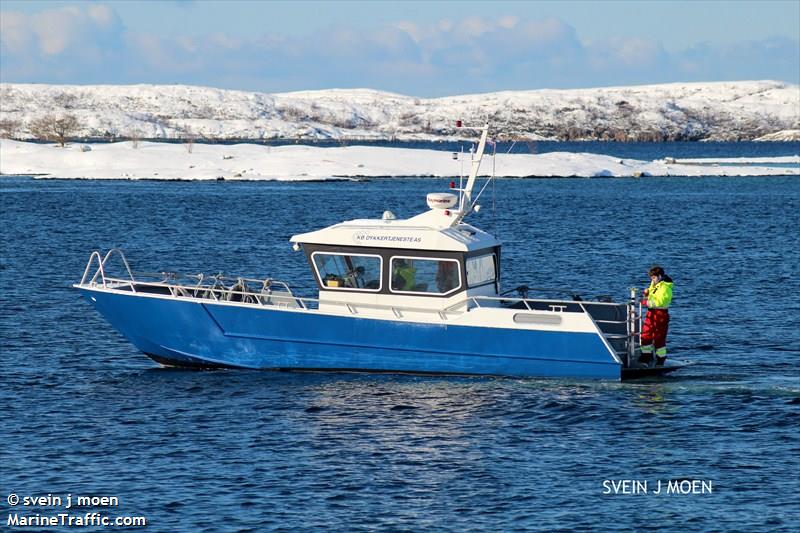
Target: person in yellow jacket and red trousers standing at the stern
<point>658,297</point>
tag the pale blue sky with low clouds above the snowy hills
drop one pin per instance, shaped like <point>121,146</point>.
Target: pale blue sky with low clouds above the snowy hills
<point>416,48</point>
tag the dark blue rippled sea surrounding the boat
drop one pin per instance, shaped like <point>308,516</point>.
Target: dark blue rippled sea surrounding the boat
<point>84,415</point>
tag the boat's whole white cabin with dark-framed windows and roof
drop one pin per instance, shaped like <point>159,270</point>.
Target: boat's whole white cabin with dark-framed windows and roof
<point>427,261</point>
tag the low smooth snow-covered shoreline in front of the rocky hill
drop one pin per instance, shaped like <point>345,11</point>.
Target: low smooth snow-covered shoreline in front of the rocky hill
<point>167,161</point>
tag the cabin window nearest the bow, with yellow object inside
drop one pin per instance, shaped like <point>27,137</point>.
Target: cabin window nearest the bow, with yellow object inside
<point>348,271</point>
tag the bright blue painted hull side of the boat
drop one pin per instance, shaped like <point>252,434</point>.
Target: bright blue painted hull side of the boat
<point>191,333</point>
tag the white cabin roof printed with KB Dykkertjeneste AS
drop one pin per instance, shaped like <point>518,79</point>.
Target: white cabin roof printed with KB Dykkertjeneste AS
<point>431,230</point>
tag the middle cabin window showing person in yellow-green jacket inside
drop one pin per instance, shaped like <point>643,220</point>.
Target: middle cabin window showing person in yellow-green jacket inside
<point>425,276</point>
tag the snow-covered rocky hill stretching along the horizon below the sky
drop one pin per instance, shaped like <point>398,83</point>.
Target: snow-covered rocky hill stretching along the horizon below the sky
<point>680,111</point>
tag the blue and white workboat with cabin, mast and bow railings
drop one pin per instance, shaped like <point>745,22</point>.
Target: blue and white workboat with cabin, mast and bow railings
<point>420,295</point>
